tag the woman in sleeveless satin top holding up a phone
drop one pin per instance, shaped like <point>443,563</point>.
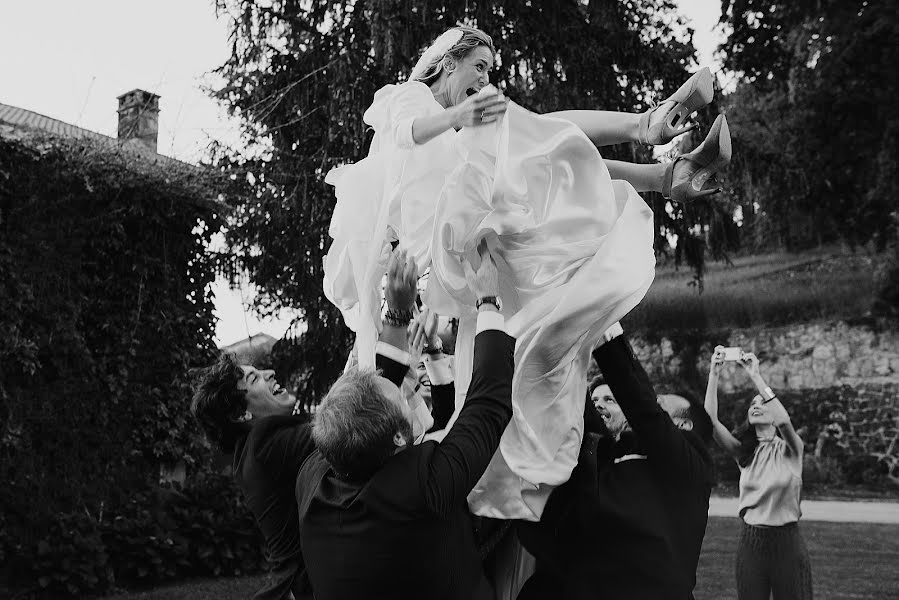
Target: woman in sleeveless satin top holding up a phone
<point>771,555</point>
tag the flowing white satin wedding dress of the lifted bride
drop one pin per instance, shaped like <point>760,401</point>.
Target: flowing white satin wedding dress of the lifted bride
<point>573,247</point>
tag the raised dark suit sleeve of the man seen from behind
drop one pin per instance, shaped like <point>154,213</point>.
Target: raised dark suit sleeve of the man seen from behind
<point>462,457</point>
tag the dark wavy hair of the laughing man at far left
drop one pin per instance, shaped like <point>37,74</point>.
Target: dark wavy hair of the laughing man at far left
<point>217,403</point>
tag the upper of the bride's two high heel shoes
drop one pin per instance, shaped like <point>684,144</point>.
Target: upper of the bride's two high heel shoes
<point>695,93</point>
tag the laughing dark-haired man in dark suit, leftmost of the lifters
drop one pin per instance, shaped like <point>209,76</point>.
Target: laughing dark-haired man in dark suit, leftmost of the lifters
<point>245,412</point>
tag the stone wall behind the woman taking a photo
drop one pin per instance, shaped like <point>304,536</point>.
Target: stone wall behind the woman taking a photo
<point>840,383</point>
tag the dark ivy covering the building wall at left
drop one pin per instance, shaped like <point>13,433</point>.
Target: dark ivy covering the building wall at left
<point>103,309</point>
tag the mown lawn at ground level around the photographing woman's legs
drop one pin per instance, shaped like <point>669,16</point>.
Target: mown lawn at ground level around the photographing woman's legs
<point>849,561</point>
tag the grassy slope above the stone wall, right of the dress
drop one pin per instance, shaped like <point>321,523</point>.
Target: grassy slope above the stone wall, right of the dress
<point>763,290</point>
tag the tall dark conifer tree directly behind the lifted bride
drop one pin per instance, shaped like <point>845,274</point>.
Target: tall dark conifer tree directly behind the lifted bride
<point>302,73</point>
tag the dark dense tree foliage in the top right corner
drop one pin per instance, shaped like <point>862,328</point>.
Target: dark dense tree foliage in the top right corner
<point>813,119</point>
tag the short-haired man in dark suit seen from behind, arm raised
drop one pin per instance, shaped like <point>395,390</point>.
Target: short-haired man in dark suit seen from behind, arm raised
<point>381,518</point>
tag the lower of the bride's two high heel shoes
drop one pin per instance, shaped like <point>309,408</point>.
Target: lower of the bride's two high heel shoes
<point>687,174</point>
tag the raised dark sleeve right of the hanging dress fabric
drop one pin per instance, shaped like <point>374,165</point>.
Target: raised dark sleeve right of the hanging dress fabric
<point>659,436</point>
